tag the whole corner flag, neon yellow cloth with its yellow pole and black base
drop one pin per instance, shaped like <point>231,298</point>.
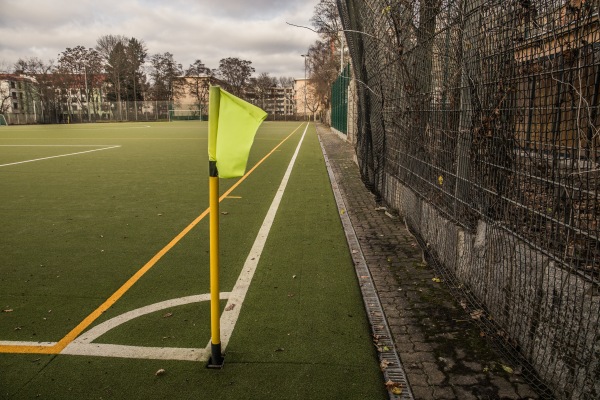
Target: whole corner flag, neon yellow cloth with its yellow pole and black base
<point>232,125</point>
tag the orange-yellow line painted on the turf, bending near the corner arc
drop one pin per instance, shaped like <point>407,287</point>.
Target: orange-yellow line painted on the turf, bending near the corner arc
<point>83,325</point>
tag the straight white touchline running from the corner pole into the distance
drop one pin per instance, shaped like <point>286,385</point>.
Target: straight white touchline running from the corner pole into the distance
<point>238,294</point>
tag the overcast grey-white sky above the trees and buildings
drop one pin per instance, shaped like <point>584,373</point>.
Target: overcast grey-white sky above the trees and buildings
<point>208,30</point>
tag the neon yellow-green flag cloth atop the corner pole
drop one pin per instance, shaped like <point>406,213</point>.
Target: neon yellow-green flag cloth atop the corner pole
<point>233,123</point>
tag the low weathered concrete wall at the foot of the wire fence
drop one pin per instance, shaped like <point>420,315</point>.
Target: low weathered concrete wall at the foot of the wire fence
<point>549,314</point>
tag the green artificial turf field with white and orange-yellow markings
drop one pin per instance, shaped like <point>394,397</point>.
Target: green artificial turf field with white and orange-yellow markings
<point>104,269</point>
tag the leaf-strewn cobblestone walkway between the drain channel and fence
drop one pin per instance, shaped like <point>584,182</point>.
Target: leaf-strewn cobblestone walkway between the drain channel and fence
<point>442,352</point>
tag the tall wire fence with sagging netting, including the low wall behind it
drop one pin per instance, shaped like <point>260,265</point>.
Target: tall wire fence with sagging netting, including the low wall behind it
<point>478,119</point>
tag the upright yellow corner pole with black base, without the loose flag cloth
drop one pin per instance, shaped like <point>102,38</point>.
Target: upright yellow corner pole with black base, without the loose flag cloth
<point>216,358</point>
